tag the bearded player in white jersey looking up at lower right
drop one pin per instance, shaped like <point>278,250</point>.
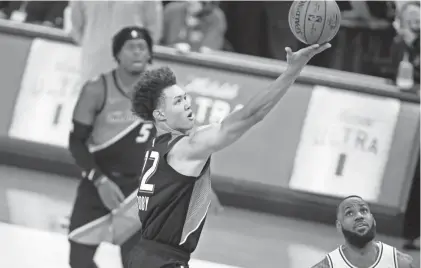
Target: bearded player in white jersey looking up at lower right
<point>358,226</point>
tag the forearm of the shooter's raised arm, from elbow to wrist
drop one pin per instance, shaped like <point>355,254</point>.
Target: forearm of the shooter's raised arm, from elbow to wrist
<point>261,104</point>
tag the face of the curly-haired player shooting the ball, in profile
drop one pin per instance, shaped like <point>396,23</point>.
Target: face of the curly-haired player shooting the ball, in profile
<point>177,109</point>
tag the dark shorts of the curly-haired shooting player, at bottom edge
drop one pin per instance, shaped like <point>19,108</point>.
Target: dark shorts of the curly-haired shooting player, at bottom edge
<point>152,254</point>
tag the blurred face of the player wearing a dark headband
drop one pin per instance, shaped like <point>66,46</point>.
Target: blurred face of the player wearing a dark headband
<point>134,56</point>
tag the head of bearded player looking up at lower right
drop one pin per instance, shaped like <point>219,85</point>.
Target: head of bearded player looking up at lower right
<point>356,222</point>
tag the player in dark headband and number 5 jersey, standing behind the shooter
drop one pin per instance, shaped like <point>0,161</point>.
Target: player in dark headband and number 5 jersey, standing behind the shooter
<point>108,143</point>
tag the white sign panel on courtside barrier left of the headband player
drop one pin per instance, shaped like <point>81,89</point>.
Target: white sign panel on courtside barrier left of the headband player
<point>48,93</point>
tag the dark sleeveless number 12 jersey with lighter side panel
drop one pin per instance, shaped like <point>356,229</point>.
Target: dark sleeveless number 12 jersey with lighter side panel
<point>172,207</point>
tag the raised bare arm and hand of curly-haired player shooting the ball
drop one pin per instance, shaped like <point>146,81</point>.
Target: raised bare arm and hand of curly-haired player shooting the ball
<point>206,140</point>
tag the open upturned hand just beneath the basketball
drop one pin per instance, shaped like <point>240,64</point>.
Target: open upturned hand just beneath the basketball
<point>301,57</point>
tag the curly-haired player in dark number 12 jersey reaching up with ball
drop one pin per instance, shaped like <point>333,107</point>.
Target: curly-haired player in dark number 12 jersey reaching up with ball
<point>174,190</point>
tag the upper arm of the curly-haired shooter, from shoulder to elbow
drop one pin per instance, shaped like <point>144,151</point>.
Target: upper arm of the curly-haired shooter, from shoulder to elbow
<point>204,141</point>
